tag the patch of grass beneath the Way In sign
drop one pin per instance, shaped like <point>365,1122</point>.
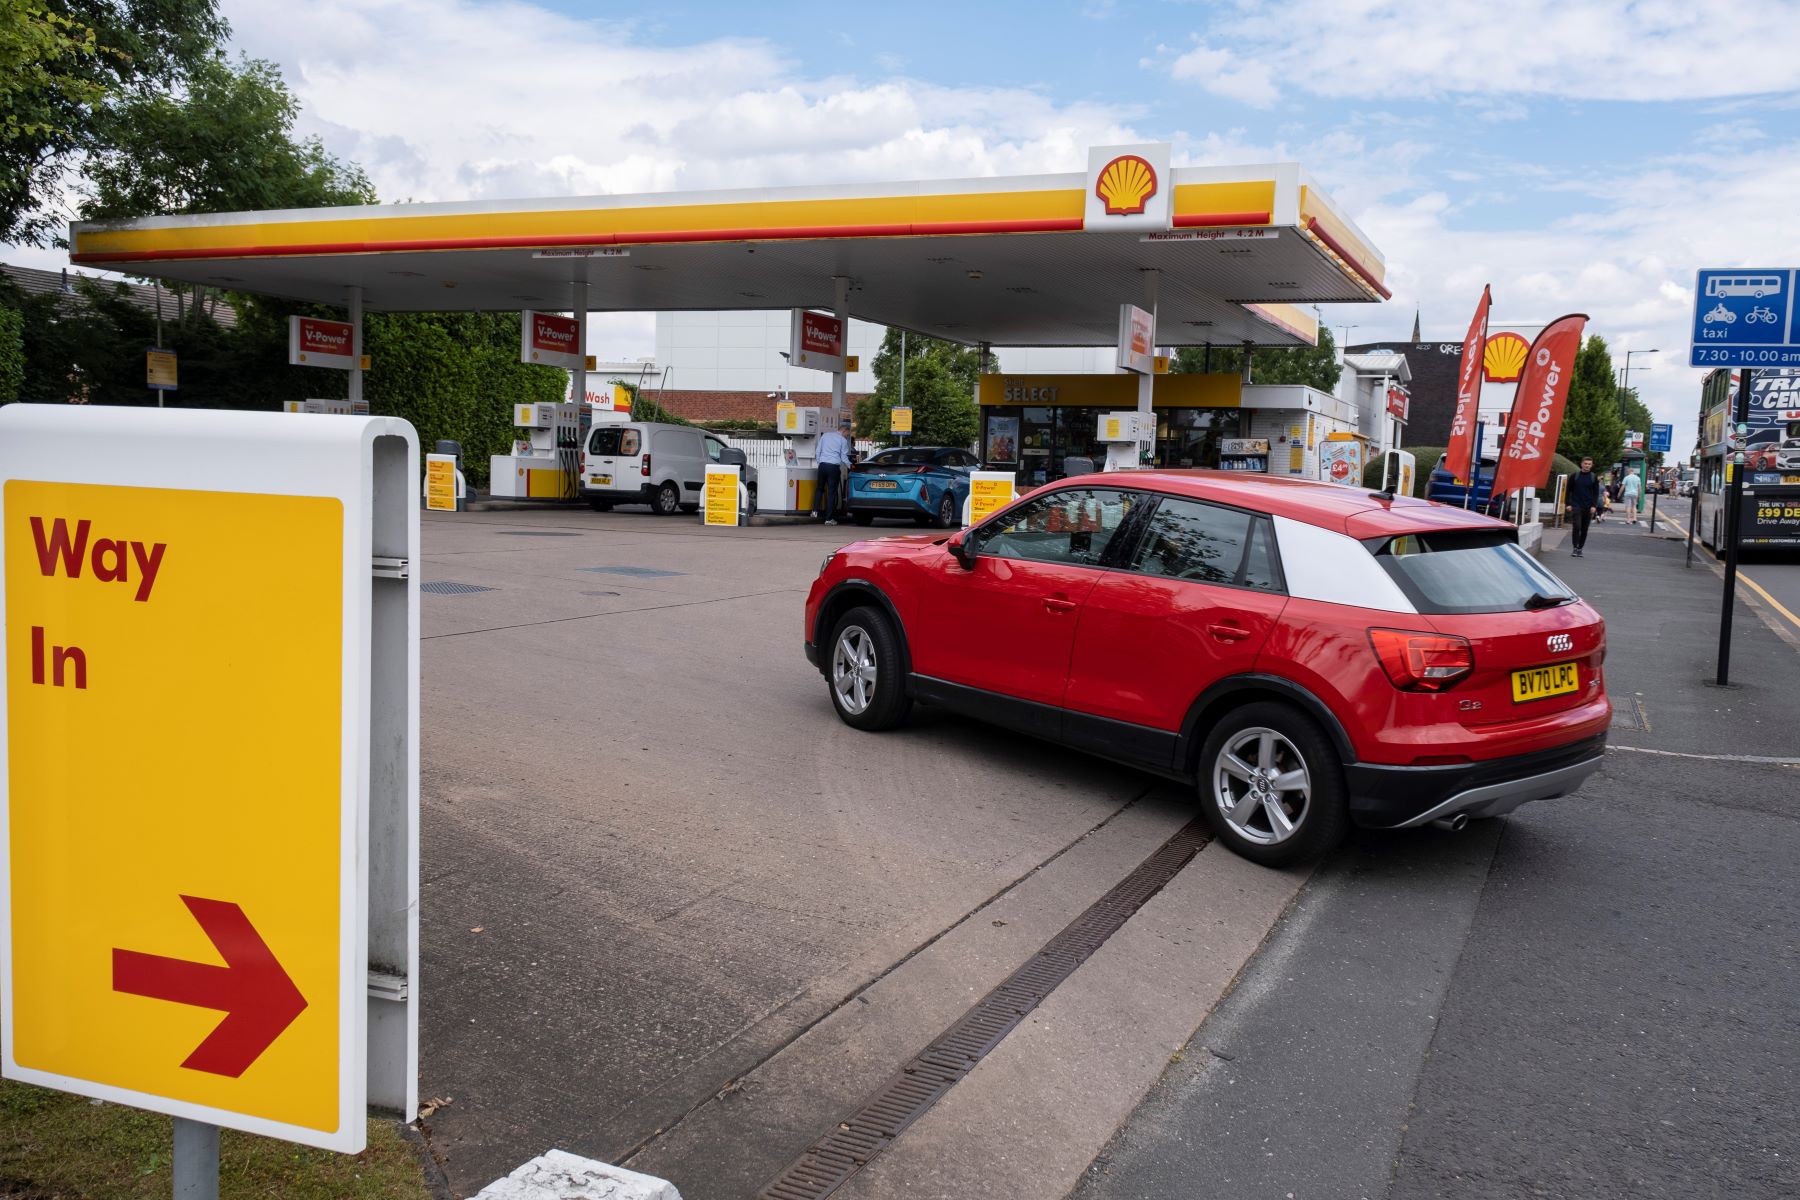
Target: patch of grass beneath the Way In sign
<point>60,1147</point>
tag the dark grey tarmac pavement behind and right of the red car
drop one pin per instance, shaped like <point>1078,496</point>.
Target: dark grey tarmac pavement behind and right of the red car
<point>1592,998</point>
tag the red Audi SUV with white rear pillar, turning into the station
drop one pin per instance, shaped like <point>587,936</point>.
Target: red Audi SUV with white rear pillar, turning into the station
<point>1304,654</point>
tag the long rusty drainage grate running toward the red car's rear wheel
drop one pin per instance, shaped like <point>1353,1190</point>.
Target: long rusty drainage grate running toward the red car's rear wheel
<point>942,1066</point>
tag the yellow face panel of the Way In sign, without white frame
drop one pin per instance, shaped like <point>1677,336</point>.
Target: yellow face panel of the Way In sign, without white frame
<point>175,793</point>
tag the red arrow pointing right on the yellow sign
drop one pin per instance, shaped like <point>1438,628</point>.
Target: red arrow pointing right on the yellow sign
<point>255,994</point>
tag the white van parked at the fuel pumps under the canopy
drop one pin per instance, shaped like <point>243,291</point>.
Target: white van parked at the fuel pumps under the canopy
<point>656,465</point>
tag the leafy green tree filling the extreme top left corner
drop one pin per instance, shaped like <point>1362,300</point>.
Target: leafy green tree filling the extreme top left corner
<point>64,66</point>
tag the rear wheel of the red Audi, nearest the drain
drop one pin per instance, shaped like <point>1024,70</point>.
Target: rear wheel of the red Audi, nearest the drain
<point>1255,814</point>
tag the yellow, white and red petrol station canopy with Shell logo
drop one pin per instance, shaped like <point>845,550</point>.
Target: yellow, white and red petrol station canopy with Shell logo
<point>1039,260</point>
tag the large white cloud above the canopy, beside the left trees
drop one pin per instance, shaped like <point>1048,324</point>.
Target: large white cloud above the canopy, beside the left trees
<point>462,100</point>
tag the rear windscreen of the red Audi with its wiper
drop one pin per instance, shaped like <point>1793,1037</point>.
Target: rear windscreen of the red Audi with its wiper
<point>1468,571</point>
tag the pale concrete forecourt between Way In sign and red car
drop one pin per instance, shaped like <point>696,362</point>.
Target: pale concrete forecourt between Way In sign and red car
<point>678,915</point>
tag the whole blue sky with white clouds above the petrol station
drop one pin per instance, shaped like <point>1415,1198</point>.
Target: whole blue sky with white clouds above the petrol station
<point>1581,156</point>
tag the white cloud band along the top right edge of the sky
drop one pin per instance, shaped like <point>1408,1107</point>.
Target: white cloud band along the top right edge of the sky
<point>1587,49</point>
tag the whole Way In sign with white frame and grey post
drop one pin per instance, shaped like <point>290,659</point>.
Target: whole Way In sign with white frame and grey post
<point>240,625</point>
